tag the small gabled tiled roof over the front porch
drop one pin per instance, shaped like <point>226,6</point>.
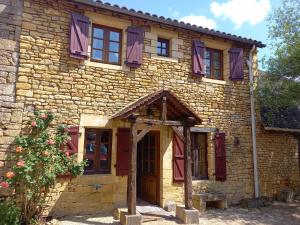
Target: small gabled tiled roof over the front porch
<point>176,109</point>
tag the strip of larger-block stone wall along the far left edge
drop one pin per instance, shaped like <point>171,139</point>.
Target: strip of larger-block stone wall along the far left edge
<point>10,111</point>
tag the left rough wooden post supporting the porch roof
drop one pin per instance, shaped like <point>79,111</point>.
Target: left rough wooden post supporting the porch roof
<point>131,182</point>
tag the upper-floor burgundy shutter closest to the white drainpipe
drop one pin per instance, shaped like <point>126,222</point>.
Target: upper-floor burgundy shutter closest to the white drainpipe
<point>236,64</point>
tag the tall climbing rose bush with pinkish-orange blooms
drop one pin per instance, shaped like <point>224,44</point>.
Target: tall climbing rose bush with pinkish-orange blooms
<point>38,160</point>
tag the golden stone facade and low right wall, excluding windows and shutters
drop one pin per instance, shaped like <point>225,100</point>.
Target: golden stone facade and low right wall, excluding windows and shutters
<point>86,94</point>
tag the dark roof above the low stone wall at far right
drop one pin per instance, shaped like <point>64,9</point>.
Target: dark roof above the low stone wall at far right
<point>282,119</point>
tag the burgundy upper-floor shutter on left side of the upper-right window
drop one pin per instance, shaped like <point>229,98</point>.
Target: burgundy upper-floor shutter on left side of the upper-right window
<point>198,49</point>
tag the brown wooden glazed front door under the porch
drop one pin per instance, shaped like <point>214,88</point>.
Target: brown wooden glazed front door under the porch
<point>148,168</point>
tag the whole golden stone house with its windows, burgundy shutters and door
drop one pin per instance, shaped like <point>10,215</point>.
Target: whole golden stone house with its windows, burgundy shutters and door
<point>95,65</point>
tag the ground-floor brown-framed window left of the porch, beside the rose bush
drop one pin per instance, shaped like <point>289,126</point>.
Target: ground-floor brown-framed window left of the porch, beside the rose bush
<point>97,150</point>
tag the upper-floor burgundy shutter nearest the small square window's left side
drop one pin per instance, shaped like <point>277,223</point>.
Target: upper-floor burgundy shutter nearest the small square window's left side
<point>135,43</point>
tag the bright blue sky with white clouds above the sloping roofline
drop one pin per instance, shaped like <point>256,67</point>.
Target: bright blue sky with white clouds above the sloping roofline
<point>246,18</point>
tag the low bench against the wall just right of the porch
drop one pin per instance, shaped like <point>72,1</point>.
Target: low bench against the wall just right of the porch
<point>217,198</point>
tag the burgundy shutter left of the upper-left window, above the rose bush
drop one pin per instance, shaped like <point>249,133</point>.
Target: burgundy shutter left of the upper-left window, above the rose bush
<point>79,31</point>
